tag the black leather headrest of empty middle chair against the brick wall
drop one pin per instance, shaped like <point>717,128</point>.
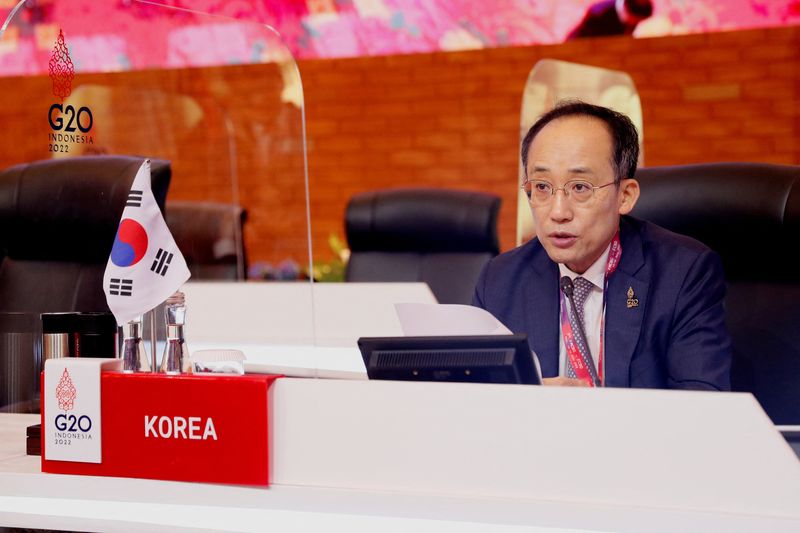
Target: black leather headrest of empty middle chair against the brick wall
<point>423,220</point>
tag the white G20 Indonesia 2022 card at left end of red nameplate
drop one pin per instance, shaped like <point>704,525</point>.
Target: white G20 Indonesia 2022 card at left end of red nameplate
<point>73,427</point>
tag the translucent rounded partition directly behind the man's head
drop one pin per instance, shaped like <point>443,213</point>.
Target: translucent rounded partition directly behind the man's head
<point>551,81</point>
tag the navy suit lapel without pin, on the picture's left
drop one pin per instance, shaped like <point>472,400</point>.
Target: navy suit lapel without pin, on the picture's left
<point>541,313</point>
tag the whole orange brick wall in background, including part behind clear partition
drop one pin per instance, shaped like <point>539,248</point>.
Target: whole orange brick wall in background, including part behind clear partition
<point>452,120</point>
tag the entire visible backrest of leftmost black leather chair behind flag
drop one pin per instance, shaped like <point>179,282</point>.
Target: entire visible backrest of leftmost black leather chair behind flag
<point>58,220</point>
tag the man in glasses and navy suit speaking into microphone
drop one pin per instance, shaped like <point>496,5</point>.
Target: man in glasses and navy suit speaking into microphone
<point>643,307</point>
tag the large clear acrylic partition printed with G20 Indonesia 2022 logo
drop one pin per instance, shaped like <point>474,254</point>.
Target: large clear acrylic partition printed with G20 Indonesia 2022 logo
<point>218,98</point>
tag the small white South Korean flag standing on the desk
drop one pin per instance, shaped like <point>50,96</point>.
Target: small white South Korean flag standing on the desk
<point>145,266</point>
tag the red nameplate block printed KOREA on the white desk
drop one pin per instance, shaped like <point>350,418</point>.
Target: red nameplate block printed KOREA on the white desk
<point>198,428</point>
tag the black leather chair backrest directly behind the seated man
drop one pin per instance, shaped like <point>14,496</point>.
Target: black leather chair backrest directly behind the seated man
<point>749,213</point>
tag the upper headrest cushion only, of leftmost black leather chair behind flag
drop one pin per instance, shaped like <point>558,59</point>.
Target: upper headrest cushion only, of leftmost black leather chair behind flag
<point>69,209</point>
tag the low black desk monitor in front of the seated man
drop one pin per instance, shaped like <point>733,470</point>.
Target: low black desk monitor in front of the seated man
<point>476,359</point>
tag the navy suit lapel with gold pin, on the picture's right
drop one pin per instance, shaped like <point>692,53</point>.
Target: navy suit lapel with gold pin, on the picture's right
<point>623,321</point>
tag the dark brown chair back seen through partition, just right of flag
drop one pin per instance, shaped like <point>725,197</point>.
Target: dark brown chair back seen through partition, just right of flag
<point>210,237</point>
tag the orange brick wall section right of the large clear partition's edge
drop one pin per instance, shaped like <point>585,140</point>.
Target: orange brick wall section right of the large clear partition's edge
<point>452,119</point>
